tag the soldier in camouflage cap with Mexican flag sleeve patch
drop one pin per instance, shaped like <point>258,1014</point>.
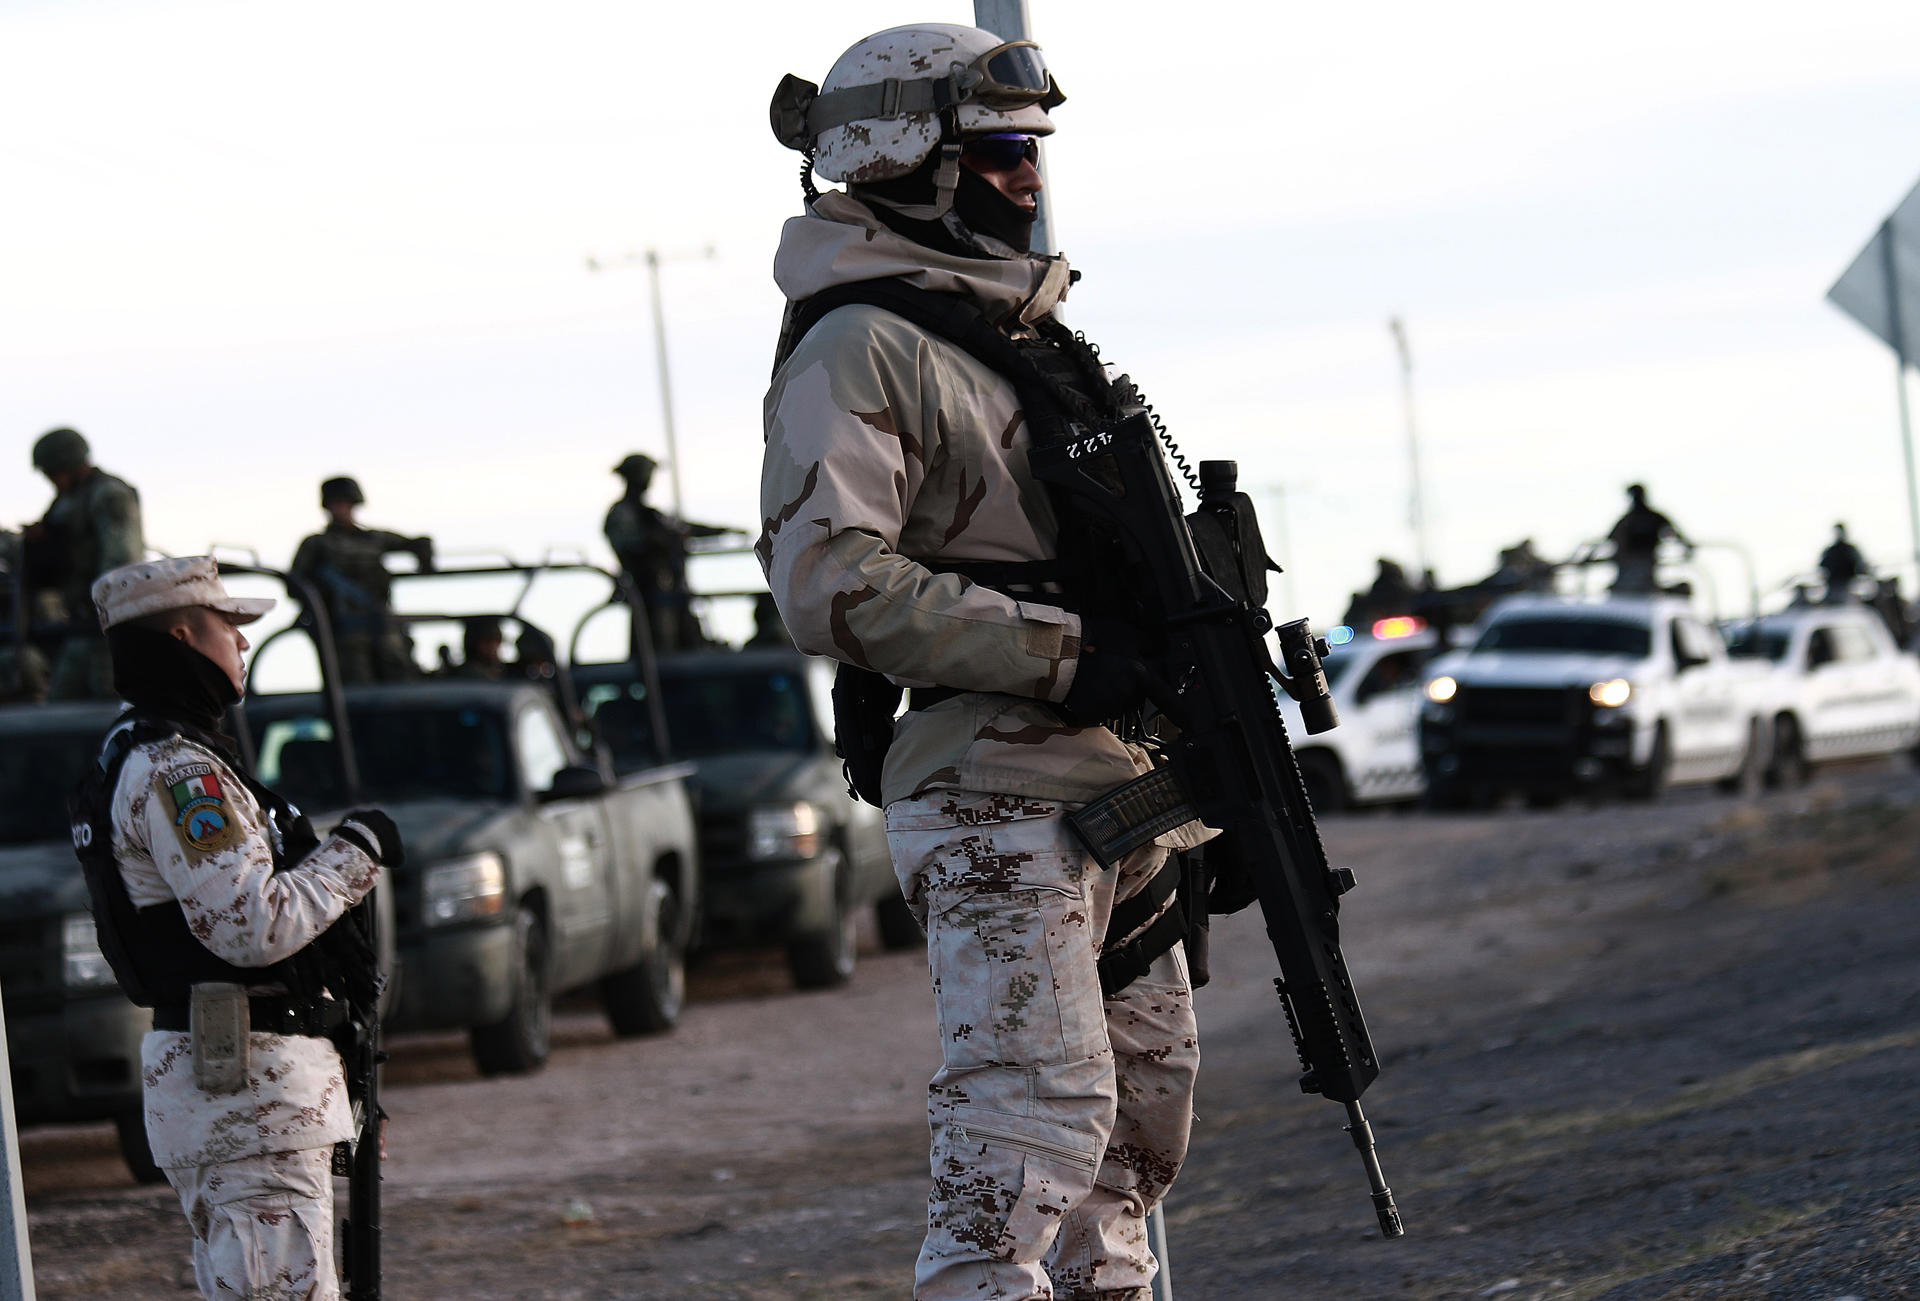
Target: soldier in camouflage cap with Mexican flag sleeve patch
<point>201,878</point>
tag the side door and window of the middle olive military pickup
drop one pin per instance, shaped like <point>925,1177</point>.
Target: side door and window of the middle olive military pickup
<point>583,901</point>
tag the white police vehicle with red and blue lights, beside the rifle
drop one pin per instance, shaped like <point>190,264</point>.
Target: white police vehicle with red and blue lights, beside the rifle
<point>1374,757</point>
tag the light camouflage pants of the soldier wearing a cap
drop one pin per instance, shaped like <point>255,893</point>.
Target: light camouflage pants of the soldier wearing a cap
<point>264,1227</point>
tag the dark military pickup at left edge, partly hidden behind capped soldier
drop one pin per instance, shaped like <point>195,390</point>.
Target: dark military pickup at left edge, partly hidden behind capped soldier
<point>74,1039</point>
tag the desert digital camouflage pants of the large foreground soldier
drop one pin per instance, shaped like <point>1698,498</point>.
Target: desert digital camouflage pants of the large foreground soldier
<point>1059,1116</point>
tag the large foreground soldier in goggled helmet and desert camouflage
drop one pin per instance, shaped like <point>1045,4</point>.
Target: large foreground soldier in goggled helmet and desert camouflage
<point>1059,1116</point>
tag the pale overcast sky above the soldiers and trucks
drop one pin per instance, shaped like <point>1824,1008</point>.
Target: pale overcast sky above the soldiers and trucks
<point>247,247</point>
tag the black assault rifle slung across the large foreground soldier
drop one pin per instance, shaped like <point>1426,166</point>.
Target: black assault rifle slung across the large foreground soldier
<point>1203,580</point>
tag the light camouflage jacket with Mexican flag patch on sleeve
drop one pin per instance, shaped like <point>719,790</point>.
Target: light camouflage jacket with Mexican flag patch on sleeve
<point>187,828</point>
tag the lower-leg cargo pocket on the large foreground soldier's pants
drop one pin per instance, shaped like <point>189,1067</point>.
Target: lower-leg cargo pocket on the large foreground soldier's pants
<point>1007,1181</point>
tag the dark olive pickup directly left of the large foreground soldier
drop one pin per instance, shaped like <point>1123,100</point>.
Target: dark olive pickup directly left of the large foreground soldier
<point>788,855</point>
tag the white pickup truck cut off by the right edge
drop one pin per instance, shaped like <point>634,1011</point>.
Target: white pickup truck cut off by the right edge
<point>1840,688</point>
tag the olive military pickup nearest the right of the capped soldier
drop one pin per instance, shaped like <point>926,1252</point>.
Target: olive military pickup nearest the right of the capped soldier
<point>531,866</point>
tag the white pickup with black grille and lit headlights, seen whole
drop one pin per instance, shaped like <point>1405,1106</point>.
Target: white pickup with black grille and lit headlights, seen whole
<point>1566,694</point>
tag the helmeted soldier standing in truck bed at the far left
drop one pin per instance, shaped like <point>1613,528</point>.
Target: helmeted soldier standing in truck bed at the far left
<point>91,529</point>
